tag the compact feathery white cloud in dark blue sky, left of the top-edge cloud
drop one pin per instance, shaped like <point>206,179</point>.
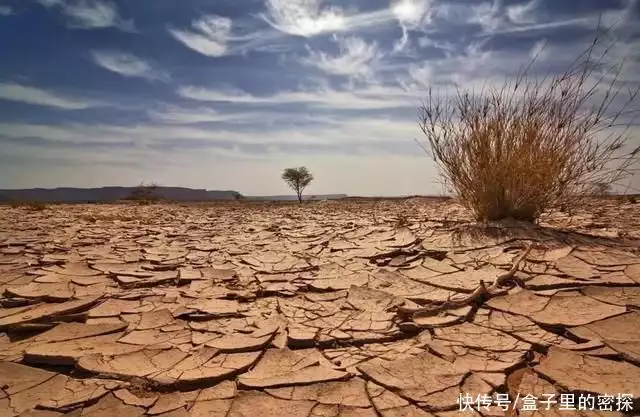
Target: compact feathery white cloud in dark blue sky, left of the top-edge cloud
<point>209,36</point>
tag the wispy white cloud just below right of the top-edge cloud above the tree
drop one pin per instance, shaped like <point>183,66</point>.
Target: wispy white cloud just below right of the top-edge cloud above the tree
<point>356,59</point>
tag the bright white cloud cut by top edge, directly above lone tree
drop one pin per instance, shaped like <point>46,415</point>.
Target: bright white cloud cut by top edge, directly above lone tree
<point>304,17</point>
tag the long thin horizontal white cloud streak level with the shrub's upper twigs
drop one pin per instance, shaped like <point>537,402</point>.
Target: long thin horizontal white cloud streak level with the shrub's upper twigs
<point>369,98</point>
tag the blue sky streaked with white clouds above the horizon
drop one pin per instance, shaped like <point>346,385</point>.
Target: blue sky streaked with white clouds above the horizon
<point>224,94</point>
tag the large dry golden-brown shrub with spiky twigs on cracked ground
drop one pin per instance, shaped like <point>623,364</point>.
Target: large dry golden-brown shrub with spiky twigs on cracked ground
<point>519,149</point>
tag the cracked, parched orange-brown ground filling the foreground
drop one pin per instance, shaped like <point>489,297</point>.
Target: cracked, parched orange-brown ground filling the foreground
<point>338,308</point>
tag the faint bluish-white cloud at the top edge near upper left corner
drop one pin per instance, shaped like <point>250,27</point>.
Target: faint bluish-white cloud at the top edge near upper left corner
<point>90,14</point>
